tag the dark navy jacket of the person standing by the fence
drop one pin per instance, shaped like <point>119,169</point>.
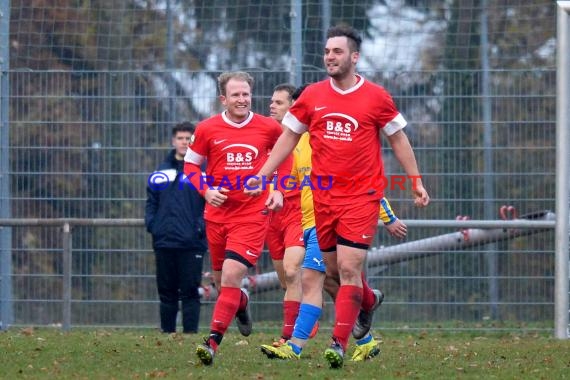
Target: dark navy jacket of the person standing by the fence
<point>174,212</point>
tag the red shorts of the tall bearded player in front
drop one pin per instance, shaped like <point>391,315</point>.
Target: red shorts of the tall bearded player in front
<point>355,222</point>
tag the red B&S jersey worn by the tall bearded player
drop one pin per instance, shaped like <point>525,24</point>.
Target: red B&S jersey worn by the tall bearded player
<point>344,128</point>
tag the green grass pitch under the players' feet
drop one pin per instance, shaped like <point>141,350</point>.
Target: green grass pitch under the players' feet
<point>135,354</point>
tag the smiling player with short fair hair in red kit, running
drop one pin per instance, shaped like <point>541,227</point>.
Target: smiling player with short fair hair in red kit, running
<point>235,145</point>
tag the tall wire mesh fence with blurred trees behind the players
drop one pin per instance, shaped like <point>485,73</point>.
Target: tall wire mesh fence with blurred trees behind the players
<point>90,90</point>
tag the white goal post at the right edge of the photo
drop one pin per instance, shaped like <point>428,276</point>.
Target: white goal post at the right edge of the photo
<point>562,167</point>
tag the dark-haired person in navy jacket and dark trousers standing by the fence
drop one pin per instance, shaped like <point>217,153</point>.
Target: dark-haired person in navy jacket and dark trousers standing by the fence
<point>174,217</point>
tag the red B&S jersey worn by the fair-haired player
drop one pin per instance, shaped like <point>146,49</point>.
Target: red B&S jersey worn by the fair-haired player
<point>233,152</point>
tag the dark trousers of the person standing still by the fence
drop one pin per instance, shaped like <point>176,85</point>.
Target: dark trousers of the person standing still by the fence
<point>178,278</point>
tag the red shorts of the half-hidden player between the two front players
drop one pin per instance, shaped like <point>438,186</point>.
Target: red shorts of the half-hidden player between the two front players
<point>285,228</point>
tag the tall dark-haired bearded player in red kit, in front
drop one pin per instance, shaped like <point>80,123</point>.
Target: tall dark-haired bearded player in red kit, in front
<point>344,116</point>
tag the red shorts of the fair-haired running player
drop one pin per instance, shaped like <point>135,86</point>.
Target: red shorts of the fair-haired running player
<point>244,238</point>
